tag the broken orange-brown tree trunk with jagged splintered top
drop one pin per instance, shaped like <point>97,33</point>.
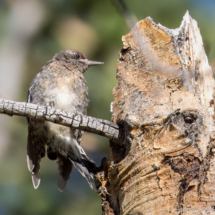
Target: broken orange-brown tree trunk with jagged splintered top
<point>164,107</point>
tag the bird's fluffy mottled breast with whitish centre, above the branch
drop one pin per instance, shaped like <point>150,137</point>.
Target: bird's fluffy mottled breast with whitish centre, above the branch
<point>61,87</point>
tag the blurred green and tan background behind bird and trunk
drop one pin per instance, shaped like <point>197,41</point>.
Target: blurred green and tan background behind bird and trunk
<point>31,32</point>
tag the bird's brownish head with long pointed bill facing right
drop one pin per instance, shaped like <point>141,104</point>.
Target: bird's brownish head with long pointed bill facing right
<point>75,58</point>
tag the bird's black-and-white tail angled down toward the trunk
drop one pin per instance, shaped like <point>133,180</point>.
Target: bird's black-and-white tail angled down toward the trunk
<point>87,168</point>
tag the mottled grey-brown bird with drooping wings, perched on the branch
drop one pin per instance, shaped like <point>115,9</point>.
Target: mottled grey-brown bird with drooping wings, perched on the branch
<point>60,84</point>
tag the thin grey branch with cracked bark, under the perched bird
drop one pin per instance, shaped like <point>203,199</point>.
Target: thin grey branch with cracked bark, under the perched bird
<point>101,127</point>
